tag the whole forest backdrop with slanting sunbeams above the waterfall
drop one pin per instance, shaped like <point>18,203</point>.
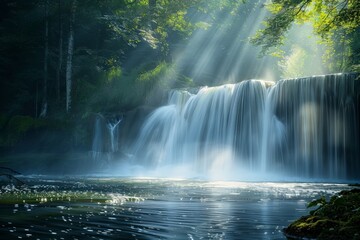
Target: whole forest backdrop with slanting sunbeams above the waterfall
<point>72,57</point>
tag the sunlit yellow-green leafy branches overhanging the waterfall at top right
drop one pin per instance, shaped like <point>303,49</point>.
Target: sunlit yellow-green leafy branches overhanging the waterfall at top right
<point>336,21</point>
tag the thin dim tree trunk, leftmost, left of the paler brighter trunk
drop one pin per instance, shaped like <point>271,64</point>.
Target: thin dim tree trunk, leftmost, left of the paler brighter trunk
<point>46,56</point>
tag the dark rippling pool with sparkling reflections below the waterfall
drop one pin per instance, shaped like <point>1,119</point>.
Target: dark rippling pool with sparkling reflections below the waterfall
<point>124,208</point>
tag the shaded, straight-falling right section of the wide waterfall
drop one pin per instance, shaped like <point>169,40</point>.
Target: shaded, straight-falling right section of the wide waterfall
<point>312,126</point>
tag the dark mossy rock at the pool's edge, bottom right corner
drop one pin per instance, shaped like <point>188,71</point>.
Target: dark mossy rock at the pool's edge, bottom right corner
<point>337,219</point>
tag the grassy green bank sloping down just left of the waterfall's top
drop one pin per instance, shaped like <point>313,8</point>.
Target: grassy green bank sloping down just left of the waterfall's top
<point>145,84</point>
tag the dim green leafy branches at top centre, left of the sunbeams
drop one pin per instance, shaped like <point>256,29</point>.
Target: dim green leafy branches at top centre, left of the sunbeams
<point>137,21</point>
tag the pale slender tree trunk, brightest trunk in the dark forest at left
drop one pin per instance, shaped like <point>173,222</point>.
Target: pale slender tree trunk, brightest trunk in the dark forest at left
<point>69,58</point>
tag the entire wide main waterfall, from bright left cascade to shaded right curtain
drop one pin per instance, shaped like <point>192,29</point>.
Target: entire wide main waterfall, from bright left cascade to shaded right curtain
<point>305,127</point>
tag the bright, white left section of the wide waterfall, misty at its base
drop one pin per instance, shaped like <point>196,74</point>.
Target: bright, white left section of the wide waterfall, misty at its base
<point>217,127</point>
